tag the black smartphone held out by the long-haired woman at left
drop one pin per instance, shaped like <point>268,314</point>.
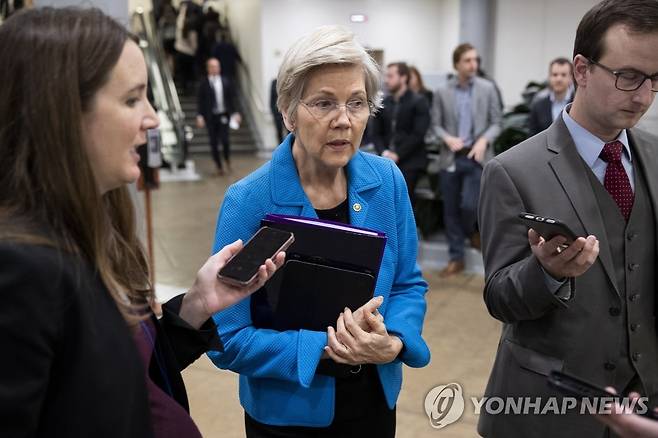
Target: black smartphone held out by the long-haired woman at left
<point>242,268</point>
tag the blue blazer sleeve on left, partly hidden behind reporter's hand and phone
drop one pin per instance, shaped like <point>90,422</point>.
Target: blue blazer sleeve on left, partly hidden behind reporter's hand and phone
<point>291,355</point>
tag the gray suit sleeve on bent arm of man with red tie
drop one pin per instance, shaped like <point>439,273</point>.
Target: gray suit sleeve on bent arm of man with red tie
<point>516,287</point>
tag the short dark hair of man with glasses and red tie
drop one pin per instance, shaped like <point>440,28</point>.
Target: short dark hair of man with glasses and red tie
<point>641,16</point>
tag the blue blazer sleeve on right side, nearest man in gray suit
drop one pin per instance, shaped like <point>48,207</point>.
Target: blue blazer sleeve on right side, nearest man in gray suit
<point>406,306</point>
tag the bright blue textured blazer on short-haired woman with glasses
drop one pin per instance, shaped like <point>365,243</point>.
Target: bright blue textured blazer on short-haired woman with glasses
<point>278,384</point>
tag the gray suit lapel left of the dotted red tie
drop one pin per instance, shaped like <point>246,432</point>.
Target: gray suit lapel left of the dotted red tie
<point>570,170</point>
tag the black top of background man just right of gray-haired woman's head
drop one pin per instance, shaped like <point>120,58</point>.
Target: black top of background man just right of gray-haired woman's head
<point>401,126</point>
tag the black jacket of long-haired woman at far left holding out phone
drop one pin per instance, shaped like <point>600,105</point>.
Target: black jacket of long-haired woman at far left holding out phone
<point>70,364</point>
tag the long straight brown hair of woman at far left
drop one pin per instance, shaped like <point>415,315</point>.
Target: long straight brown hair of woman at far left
<point>54,62</point>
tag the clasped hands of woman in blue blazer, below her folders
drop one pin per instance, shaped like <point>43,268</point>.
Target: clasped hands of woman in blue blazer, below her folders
<point>349,344</point>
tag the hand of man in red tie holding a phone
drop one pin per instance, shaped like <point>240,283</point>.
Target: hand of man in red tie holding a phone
<point>560,263</point>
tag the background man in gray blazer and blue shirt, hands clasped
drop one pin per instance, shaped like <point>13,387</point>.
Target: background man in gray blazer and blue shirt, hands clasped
<point>466,115</point>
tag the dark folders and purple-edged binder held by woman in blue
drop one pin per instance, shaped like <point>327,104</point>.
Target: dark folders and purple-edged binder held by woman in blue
<point>330,266</point>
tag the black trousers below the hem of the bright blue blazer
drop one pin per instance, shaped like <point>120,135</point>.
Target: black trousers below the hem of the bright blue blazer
<point>361,411</point>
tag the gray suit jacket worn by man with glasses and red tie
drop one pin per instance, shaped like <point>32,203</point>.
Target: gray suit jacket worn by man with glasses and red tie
<point>546,175</point>
